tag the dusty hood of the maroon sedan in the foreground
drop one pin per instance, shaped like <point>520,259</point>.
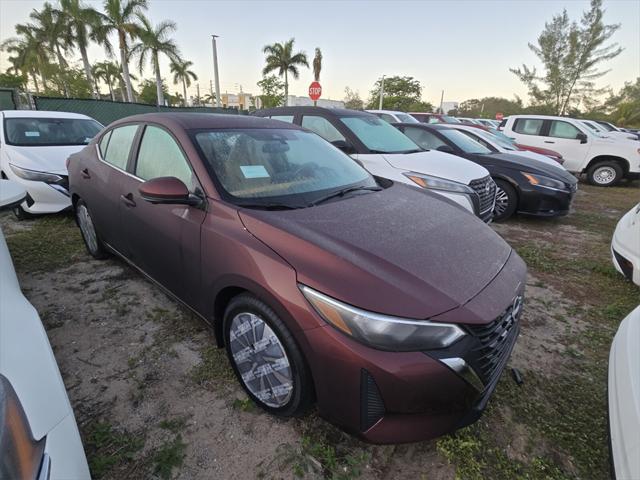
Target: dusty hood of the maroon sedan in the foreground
<point>401,251</point>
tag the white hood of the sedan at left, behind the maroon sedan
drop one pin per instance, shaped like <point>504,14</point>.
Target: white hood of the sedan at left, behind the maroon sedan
<point>42,159</point>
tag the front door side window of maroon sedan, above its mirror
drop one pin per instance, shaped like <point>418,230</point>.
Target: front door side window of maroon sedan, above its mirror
<point>160,156</point>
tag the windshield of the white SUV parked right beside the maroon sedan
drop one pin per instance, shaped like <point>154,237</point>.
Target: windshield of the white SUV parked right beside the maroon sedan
<point>378,136</point>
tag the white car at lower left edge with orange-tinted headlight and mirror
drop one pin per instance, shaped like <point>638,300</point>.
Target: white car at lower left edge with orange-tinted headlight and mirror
<point>39,437</point>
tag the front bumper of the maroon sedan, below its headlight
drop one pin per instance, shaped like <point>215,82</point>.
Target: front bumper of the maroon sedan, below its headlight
<point>396,397</point>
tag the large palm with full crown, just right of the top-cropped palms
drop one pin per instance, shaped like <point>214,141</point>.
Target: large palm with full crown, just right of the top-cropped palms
<point>153,42</point>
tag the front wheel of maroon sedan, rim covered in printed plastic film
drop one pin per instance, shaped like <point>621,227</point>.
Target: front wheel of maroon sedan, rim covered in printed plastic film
<point>247,317</point>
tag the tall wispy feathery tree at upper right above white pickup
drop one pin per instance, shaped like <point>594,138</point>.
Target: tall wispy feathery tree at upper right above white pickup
<point>571,54</point>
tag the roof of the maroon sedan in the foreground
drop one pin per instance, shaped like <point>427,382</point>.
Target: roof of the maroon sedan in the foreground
<point>189,121</point>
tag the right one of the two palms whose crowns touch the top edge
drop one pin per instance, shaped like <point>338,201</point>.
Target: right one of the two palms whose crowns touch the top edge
<point>120,17</point>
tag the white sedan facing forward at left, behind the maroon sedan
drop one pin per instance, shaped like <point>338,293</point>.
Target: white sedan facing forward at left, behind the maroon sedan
<point>34,147</point>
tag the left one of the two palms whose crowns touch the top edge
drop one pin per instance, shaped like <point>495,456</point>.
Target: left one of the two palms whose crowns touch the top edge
<point>84,23</point>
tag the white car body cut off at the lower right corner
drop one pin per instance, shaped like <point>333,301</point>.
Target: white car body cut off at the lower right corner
<point>624,398</point>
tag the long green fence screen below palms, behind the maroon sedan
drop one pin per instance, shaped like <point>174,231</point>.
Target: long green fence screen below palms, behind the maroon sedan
<point>106,111</point>
